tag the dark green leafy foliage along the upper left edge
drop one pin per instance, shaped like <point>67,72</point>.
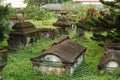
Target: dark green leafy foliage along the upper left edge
<point>4,22</point>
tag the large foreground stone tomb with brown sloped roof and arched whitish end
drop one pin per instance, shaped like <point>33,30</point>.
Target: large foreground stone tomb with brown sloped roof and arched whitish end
<point>60,58</point>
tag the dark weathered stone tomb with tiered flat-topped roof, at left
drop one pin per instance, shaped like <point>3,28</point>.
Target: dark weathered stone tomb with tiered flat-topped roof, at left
<point>23,34</point>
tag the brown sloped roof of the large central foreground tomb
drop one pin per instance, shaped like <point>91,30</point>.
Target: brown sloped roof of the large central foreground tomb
<point>67,50</point>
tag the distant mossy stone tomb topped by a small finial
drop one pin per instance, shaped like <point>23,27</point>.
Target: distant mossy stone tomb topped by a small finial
<point>64,23</point>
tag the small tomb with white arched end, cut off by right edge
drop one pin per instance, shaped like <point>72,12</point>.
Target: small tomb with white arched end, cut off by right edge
<point>110,61</point>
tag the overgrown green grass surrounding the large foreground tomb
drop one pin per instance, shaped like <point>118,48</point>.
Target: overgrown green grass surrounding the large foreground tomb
<point>19,66</point>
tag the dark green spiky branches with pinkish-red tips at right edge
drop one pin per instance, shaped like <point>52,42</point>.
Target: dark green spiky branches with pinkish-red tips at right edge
<point>108,21</point>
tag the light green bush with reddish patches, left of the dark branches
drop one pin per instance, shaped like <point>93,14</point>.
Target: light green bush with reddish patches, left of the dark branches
<point>82,14</point>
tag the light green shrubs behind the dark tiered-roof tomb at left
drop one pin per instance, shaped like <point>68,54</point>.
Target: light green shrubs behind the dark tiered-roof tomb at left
<point>38,13</point>
